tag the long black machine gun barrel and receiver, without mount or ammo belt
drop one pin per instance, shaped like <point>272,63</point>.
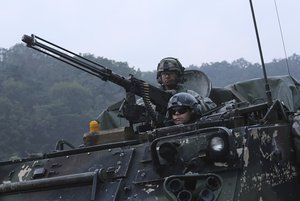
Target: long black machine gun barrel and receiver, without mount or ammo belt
<point>136,86</point>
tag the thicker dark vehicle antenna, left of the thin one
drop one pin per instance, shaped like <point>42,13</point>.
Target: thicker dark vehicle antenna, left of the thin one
<point>267,87</point>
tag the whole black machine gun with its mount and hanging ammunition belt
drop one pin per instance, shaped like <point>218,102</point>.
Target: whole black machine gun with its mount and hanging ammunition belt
<point>132,86</point>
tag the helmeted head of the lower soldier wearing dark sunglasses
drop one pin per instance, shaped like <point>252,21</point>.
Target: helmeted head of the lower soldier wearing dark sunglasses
<point>183,108</point>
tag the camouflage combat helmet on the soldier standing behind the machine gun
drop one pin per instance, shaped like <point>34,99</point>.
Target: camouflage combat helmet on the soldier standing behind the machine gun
<point>169,64</point>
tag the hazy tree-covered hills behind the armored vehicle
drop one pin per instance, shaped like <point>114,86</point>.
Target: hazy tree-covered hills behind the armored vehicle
<point>43,100</point>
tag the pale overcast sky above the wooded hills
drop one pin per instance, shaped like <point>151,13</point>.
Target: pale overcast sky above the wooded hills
<point>142,32</point>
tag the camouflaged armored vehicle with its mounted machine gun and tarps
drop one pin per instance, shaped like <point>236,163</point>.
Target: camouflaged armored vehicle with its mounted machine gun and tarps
<point>246,149</point>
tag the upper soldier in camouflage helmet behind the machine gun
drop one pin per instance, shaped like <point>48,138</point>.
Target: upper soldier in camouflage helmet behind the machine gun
<point>170,75</point>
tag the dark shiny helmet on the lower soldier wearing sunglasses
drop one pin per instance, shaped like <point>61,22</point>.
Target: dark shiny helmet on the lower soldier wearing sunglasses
<point>184,99</point>
